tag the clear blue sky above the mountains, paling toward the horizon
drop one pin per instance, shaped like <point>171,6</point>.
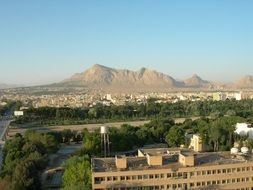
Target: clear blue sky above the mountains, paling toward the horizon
<point>49,40</point>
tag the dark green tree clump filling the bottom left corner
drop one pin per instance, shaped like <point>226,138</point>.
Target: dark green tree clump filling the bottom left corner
<point>24,157</point>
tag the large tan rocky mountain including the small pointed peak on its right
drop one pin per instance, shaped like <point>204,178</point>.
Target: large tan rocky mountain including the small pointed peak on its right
<point>101,77</point>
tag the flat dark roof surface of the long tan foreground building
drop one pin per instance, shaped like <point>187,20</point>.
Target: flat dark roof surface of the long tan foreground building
<point>170,161</point>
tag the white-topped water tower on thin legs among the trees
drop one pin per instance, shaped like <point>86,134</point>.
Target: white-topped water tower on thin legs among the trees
<point>105,143</point>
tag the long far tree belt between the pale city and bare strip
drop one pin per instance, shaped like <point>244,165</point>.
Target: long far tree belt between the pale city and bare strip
<point>49,115</point>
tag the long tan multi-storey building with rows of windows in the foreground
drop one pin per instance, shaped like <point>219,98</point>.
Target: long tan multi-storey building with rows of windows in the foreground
<point>174,169</point>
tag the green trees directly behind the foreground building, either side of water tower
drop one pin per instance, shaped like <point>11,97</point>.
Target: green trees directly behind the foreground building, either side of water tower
<point>218,134</point>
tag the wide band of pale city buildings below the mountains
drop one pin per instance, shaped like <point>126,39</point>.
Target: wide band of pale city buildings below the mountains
<point>90,99</point>
